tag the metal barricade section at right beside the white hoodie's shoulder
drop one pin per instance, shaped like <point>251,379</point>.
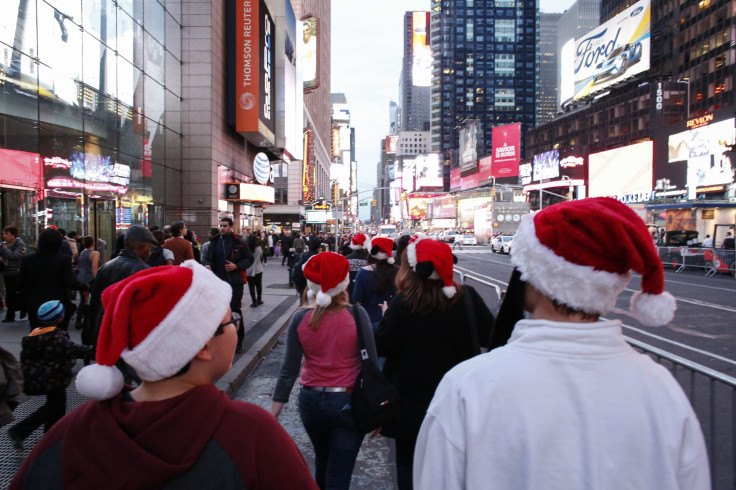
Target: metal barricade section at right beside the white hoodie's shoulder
<point>713,397</point>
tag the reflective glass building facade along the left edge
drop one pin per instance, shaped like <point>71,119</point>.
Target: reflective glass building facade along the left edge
<point>90,116</point>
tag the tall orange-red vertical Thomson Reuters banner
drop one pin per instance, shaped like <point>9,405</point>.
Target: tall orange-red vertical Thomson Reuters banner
<point>247,57</point>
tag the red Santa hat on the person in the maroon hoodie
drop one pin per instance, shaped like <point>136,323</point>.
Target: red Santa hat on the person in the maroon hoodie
<point>155,320</point>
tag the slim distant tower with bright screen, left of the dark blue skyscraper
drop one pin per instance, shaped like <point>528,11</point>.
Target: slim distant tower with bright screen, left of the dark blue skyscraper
<point>416,73</point>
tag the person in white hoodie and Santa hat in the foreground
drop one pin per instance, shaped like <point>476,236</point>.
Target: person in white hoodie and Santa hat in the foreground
<point>567,403</point>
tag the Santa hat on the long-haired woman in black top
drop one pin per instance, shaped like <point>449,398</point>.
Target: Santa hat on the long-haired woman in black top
<point>432,259</point>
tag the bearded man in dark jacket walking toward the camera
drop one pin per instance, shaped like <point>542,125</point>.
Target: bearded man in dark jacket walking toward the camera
<point>229,258</point>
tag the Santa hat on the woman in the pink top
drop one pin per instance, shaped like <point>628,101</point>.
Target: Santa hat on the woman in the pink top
<point>327,275</point>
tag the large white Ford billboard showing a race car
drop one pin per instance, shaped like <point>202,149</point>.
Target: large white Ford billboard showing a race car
<point>614,51</point>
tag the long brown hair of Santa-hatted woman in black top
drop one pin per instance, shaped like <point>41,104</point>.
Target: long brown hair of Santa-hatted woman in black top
<point>423,296</point>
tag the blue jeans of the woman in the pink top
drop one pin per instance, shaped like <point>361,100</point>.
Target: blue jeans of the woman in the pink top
<point>328,420</point>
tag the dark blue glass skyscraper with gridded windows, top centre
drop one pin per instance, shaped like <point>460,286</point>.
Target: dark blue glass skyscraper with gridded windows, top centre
<point>485,67</point>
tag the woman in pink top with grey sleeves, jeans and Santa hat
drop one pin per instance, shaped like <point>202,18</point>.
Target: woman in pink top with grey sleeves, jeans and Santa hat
<point>324,335</point>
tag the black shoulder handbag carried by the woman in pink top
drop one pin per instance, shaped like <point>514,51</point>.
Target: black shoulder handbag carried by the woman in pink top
<point>375,400</point>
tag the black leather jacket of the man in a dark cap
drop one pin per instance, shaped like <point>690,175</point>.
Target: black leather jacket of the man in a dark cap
<point>124,265</point>
